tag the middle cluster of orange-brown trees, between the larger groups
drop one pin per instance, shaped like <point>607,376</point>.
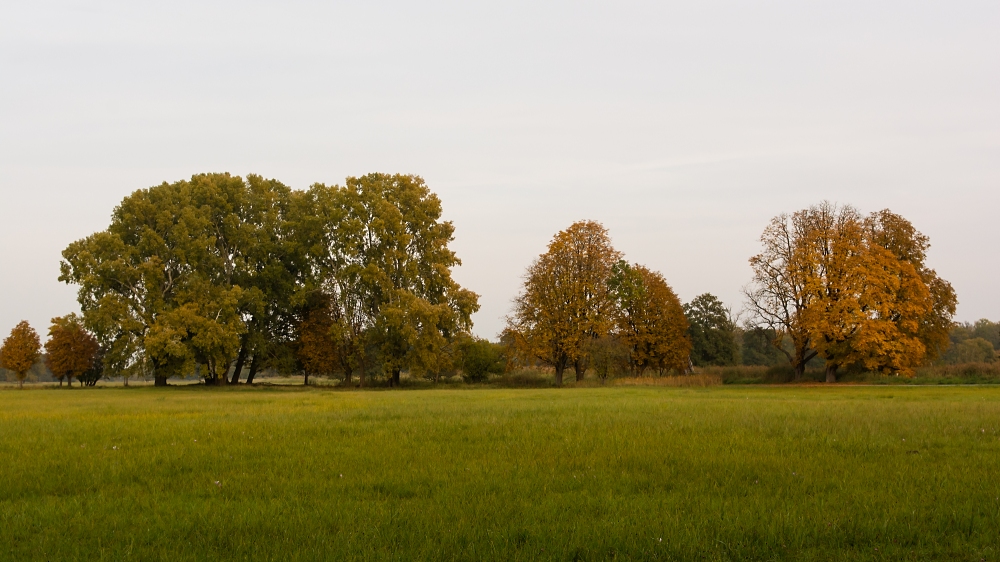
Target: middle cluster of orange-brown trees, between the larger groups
<point>582,305</point>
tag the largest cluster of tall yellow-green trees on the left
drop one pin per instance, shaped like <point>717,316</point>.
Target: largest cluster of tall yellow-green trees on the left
<point>220,275</point>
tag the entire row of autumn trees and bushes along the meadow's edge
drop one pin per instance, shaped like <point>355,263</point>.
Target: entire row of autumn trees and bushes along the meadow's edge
<point>224,277</point>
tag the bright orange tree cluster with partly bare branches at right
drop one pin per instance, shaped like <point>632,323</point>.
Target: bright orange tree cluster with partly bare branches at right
<point>852,289</point>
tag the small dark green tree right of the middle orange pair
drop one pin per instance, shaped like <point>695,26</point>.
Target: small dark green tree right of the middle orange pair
<point>712,332</point>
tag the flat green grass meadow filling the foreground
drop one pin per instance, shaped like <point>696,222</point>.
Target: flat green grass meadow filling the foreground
<point>721,473</point>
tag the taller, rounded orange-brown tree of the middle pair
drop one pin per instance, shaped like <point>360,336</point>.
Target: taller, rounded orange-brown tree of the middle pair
<point>565,301</point>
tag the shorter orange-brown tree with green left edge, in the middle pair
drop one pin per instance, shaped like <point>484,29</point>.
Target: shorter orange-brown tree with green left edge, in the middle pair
<point>649,319</point>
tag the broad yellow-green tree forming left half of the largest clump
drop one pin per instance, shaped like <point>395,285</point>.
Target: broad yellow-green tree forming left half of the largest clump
<point>186,274</point>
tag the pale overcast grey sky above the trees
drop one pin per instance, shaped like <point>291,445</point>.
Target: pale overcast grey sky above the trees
<point>683,127</point>
